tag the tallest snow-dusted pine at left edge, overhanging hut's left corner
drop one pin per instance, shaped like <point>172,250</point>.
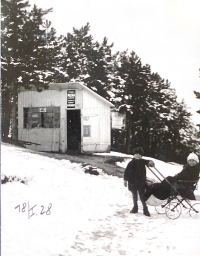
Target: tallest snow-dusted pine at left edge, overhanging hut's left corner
<point>27,55</point>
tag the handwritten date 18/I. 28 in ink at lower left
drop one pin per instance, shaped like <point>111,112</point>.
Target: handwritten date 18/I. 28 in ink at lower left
<point>26,208</point>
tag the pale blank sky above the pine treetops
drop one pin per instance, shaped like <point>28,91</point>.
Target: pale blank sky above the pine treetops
<point>164,33</point>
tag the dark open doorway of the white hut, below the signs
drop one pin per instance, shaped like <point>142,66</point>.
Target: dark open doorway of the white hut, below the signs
<point>73,129</point>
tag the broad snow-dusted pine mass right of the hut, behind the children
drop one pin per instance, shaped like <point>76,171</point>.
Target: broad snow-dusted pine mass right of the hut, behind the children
<point>151,108</point>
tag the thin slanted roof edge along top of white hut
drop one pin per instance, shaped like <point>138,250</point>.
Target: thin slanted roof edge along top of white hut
<point>71,85</point>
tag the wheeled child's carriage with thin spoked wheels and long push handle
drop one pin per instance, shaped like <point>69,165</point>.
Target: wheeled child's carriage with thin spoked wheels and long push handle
<point>177,197</point>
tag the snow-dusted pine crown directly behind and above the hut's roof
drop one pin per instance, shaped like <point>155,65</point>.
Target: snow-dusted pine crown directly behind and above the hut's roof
<point>87,61</point>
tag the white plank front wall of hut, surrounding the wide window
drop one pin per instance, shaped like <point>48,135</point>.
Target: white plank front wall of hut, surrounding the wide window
<point>52,139</point>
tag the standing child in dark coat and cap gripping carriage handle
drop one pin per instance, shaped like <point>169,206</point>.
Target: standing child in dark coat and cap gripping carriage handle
<point>135,175</point>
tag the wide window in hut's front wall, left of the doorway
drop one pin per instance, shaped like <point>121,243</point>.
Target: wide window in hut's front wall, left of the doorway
<point>48,117</point>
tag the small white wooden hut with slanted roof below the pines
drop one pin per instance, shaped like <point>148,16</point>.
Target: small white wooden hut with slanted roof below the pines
<point>67,116</point>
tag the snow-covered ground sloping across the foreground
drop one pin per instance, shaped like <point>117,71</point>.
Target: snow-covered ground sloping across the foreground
<point>83,214</point>
